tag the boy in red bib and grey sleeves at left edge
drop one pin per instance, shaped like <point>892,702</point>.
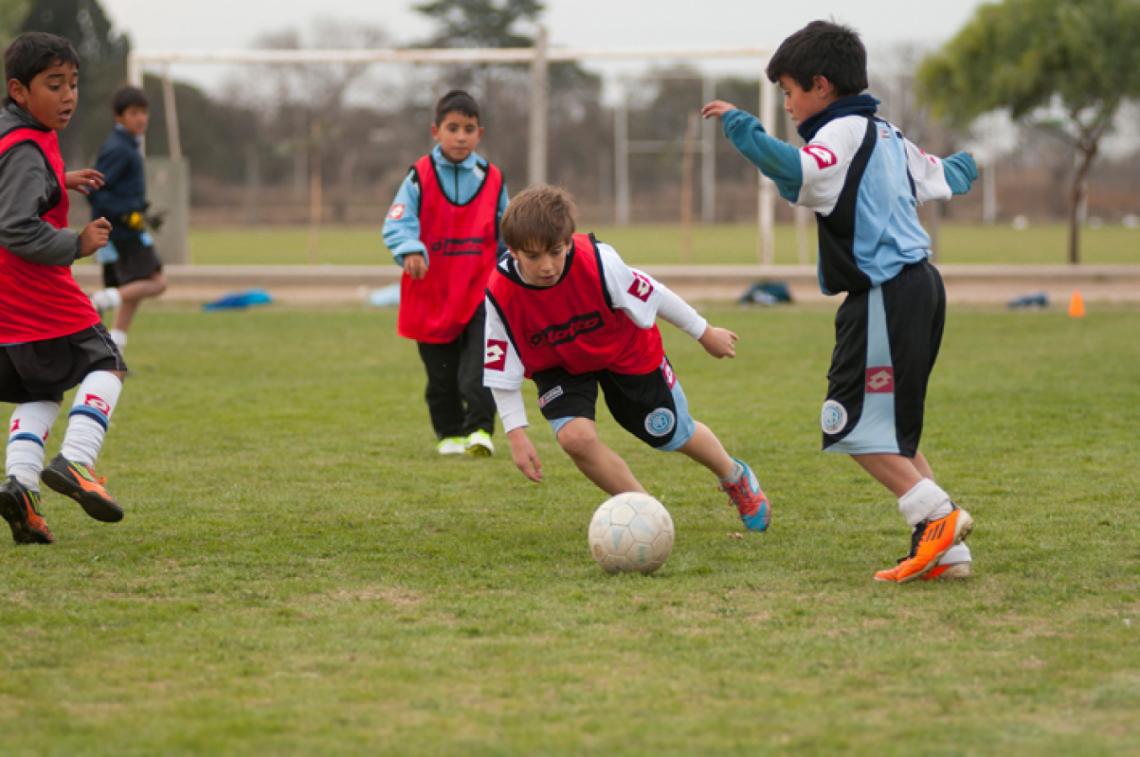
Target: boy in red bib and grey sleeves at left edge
<point>51,336</point>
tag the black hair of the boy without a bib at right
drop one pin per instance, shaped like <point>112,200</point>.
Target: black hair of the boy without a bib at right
<point>823,50</point>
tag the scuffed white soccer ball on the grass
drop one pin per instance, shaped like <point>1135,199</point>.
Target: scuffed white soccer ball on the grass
<point>631,532</point>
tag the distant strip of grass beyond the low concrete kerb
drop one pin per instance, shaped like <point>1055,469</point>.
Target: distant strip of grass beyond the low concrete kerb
<point>723,243</point>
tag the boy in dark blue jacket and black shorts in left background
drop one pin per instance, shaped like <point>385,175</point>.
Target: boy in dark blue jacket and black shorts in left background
<point>132,270</point>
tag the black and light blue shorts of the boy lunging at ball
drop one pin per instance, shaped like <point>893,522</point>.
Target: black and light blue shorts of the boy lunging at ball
<point>652,406</point>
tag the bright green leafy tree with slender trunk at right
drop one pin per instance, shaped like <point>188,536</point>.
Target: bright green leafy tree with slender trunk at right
<point>1065,67</point>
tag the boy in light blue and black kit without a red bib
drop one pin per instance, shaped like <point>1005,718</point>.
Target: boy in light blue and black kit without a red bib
<point>865,181</point>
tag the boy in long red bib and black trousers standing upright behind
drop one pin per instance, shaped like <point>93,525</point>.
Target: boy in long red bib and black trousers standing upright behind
<point>443,229</point>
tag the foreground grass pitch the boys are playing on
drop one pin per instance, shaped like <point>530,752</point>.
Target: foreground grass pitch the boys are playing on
<point>299,574</point>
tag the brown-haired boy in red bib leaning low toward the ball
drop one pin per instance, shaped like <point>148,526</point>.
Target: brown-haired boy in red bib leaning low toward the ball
<point>566,312</point>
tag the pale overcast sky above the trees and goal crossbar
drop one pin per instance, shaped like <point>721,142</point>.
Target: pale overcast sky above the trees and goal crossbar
<point>617,25</point>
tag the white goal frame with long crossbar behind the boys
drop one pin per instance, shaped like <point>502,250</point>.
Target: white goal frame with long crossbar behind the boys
<point>539,58</point>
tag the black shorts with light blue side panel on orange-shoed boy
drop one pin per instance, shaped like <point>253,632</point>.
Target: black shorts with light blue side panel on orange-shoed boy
<point>887,339</point>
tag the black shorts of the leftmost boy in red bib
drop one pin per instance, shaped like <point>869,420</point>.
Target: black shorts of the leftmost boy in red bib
<point>43,371</point>
